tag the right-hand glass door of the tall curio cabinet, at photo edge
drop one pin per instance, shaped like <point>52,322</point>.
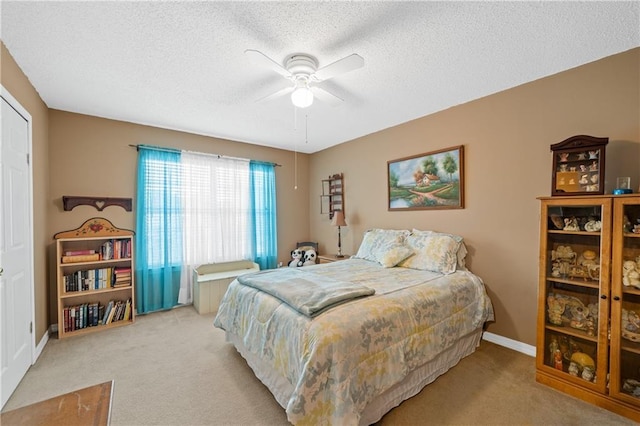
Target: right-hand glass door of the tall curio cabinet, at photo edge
<point>625,303</point>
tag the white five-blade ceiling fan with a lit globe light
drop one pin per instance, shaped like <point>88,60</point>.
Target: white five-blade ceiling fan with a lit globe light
<point>302,70</point>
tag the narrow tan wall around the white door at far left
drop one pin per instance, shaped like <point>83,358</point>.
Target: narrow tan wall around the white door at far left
<point>16,83</point>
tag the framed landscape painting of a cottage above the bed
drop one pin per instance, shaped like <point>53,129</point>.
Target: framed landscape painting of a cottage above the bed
<point>434,180</point>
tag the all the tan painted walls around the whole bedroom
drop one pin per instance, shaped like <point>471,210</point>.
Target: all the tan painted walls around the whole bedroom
<point>506,138</point>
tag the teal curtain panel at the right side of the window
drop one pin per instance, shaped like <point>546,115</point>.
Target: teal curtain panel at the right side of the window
<point>264,231</point>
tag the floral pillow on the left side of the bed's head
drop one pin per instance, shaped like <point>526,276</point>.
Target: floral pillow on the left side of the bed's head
<point>386,247</point>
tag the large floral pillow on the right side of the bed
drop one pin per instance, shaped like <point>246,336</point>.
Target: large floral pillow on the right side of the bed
<point>434,251</point>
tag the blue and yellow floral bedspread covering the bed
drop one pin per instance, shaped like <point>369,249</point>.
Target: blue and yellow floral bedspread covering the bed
<point>340,360</point>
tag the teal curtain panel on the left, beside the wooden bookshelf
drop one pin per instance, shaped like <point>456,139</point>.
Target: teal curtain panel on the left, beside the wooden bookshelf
<point>159,229</point>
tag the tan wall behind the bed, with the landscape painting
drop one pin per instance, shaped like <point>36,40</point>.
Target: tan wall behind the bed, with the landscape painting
<point>508,164</point>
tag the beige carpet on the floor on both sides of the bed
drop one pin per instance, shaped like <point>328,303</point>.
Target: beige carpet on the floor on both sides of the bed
<point>174,368</point>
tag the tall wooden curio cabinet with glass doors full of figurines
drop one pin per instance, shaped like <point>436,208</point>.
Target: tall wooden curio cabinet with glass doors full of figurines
<point>584,308</point>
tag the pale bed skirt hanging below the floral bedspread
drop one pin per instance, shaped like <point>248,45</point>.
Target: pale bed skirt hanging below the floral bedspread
<point>412,384</point>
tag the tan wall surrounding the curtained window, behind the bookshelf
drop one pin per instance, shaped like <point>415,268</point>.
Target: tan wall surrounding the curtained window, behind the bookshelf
<point>91,156</point>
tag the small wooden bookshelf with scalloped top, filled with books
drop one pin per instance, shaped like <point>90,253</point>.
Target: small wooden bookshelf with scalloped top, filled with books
<point>95,278</point>
